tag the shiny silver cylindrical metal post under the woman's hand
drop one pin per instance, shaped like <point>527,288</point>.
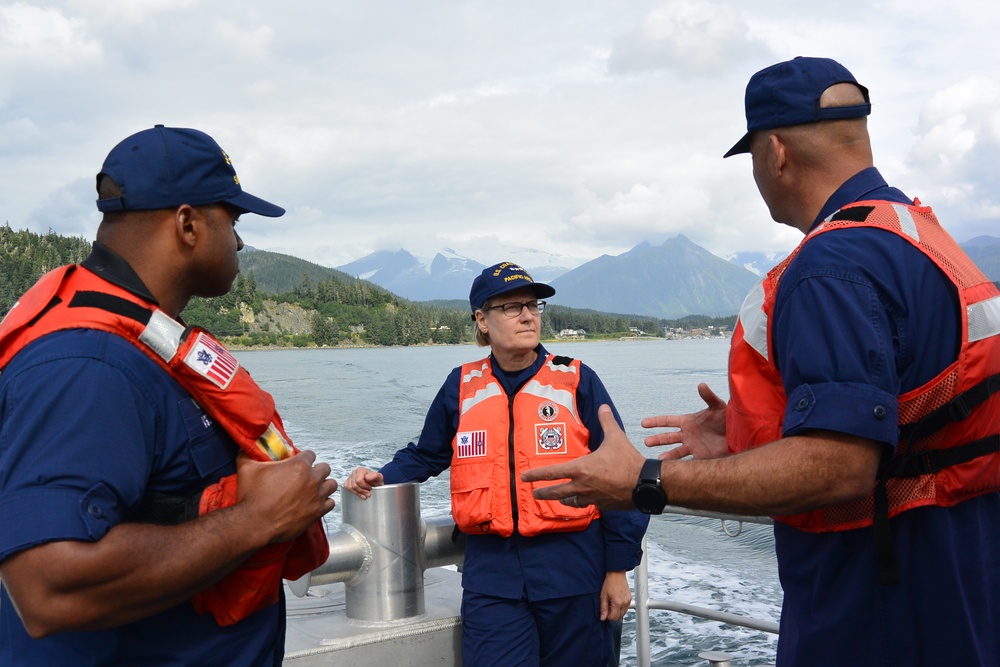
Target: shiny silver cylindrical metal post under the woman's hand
<point>391,585</point>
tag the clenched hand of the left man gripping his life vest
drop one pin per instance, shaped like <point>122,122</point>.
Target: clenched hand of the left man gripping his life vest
<point>287,495</point>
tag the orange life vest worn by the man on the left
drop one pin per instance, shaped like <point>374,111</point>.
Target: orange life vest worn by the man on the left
<point>73,297</point>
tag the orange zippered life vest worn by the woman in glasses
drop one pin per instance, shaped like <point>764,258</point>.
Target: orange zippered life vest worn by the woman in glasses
<point>498,438</point>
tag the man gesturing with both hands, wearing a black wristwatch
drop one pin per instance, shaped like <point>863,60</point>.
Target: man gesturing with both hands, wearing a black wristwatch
<point>862,413</point>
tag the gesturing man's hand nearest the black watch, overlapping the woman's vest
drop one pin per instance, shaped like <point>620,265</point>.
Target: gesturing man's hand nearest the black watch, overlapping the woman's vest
<point>604,478</point>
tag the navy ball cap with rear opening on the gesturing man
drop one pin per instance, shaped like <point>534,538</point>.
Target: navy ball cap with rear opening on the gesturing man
<point>788,94</point>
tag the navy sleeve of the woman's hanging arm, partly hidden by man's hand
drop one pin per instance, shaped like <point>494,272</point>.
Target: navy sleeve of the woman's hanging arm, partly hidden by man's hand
<point>622,530</point>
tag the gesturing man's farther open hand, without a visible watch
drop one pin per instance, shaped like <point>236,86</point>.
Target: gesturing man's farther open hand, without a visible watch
<point>700,434</point>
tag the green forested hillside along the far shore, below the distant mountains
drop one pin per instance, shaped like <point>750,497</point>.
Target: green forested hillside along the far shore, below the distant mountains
<point>322,307</point>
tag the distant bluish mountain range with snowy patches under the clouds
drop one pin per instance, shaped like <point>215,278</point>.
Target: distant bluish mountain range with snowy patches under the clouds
<point>670,280</point>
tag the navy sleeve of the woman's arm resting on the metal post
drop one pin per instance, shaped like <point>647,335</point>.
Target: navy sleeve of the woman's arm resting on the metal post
<point>431,454</point>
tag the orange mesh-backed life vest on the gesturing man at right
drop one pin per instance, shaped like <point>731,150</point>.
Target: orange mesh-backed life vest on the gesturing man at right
<point>948,444</point>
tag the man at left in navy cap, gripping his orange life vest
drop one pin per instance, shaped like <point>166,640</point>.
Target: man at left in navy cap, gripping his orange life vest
<point>131,511</point>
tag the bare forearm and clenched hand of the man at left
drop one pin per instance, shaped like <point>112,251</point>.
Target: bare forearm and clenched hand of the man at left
<point>137,569</point>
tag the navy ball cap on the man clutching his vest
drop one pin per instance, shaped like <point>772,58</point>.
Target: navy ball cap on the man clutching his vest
<point>165,167</point>
